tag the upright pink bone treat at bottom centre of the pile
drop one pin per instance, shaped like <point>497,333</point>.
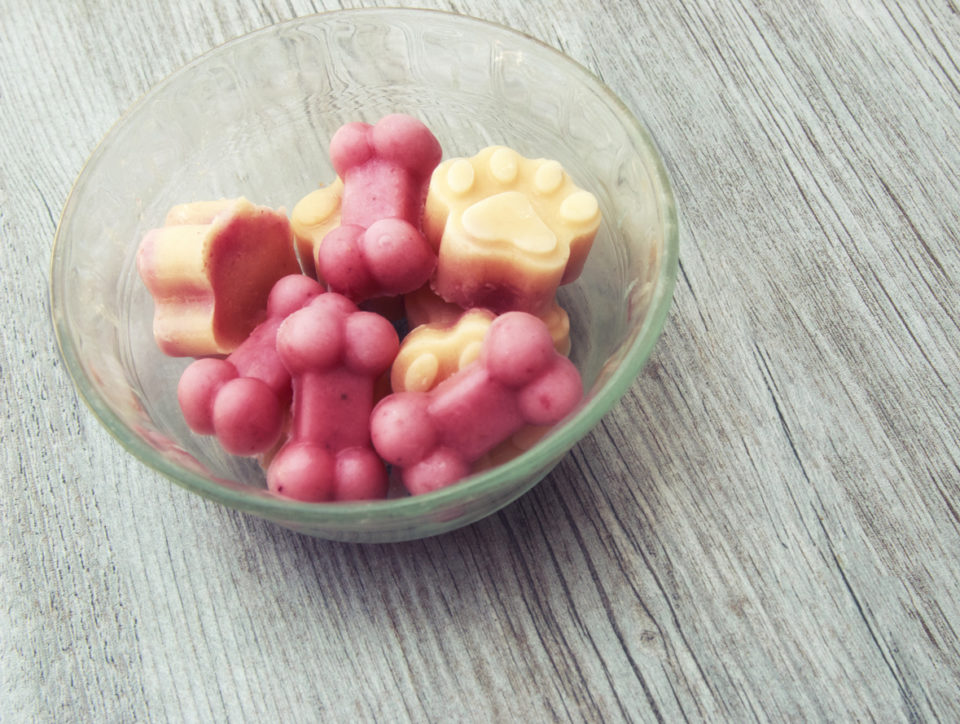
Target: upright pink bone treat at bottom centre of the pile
<point>335,354</point>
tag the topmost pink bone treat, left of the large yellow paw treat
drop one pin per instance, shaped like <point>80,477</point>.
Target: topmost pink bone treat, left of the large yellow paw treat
<point>379,248</point>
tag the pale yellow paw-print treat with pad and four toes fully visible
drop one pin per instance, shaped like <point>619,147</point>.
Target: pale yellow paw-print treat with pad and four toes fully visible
<point>509,230</point>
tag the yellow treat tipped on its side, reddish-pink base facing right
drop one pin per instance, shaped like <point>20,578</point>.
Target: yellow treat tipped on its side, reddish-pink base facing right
<point>210,270</point>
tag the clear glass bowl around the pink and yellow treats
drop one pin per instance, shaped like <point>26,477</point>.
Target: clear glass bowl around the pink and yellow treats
<point>253,118</point>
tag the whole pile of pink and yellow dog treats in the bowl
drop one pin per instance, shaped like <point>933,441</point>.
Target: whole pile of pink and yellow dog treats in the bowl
<point>294,321</point>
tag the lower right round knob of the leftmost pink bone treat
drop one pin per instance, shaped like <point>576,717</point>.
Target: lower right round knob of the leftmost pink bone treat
<point>247,416</point>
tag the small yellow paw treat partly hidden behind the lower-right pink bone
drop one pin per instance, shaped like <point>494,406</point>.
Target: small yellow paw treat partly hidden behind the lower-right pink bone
<point>433,352</point>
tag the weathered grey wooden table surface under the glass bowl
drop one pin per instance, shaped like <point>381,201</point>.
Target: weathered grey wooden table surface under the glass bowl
<point>767,527</point>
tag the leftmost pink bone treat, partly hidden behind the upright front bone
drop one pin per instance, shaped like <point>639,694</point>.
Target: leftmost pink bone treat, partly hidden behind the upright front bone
<point>243,399</point>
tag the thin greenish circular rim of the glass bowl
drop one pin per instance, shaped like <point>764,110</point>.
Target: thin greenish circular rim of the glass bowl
<point>340,515</point>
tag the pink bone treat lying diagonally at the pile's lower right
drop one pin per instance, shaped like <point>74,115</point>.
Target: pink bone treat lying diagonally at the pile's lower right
<point>519,379</point>
